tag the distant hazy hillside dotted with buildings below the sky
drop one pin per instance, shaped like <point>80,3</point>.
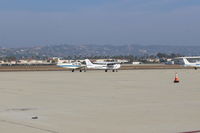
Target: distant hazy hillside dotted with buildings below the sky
<point>97,50</point>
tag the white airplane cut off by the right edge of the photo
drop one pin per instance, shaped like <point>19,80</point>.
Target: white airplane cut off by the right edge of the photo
<point>195,64</point>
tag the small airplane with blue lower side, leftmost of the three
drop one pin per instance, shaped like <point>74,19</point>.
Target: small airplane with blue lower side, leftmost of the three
<point>73,66</point>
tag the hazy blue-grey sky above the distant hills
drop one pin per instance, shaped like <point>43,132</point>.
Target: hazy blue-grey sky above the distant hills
<point>48,22</point>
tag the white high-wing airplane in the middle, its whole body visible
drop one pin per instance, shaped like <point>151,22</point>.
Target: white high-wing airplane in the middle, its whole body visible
<point>103,65</point>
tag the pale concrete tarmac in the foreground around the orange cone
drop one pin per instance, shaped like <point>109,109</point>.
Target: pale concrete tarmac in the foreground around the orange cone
<point>128,101</point>
